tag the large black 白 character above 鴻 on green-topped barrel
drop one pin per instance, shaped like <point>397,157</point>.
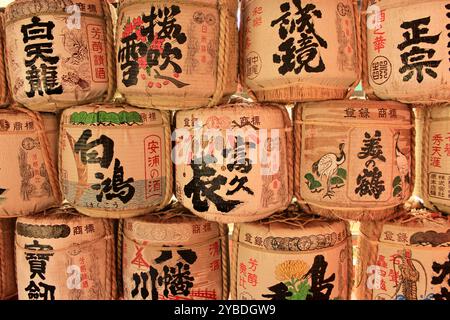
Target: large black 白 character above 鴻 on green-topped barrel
<point>82,146</point>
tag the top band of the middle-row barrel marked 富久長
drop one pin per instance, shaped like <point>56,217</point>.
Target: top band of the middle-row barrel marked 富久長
<point>235,116</point>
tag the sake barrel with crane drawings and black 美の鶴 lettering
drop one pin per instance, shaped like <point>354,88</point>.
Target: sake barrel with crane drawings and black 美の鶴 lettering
<point>354,159</point>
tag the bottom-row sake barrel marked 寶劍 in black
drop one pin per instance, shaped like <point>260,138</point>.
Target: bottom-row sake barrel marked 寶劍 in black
<point>62,255</point>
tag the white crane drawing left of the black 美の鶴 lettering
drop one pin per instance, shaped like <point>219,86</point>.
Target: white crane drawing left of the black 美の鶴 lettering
<point>328,166</point>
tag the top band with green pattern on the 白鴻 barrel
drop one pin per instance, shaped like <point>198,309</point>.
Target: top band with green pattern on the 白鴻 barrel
<point>117,115</point>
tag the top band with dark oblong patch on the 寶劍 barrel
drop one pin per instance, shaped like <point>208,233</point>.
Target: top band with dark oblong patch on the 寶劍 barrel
<point>61,228</point>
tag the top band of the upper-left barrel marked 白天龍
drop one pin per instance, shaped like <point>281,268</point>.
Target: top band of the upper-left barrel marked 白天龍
<point>25,8</point>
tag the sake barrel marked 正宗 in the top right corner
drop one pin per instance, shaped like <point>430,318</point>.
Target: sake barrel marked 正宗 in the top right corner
<point>405,50</point>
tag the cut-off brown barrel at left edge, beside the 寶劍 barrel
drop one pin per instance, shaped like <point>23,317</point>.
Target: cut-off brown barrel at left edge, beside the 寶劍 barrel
<point>8,288</point>
